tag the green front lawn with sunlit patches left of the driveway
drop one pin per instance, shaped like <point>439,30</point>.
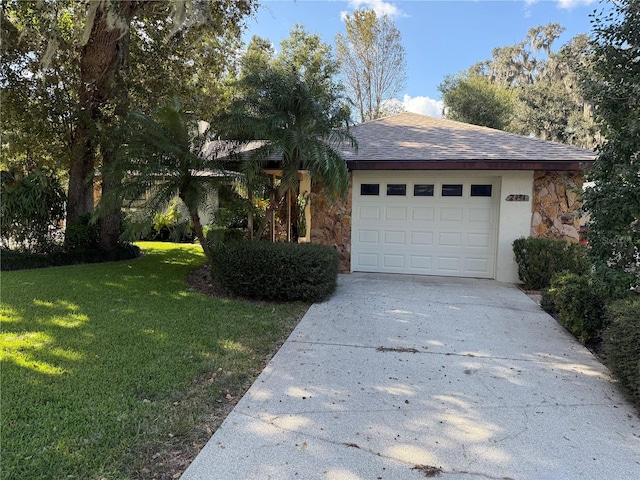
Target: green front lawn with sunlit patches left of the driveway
<point>120,370</point>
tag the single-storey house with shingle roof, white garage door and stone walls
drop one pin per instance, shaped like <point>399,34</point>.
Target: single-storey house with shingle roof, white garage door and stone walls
<point>431,196</point>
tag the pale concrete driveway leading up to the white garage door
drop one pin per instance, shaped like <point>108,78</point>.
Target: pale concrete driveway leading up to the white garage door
<point>403,377</point>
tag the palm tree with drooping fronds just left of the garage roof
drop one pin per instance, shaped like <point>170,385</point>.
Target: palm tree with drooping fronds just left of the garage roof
<point>300,121</point>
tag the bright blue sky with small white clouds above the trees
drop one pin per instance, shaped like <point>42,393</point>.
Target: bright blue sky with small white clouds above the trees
<point>440,37</point>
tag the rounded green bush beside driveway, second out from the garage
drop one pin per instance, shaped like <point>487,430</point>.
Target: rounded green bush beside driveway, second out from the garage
<point>579,303</point>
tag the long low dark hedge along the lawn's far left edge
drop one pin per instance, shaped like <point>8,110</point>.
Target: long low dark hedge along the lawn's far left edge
<point>11,260</point>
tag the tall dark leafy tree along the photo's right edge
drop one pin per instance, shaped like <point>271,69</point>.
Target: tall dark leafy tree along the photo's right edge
<point>613,84</point>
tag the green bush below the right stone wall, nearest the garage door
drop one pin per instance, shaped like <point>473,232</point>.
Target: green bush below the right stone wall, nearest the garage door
<point>539,259</point>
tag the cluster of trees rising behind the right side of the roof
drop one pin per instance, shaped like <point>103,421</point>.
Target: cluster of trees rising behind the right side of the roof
<point>527,88</point>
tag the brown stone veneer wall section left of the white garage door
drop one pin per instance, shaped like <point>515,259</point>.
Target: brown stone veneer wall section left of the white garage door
<point>331,225</point>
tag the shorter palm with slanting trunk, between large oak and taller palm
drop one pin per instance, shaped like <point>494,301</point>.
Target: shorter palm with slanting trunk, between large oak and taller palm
<point>167,157</point>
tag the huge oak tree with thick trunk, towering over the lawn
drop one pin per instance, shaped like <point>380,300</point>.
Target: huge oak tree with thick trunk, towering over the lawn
<point>80,65</point>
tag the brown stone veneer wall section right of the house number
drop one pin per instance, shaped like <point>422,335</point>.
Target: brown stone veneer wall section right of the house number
<point>556,204</point>
